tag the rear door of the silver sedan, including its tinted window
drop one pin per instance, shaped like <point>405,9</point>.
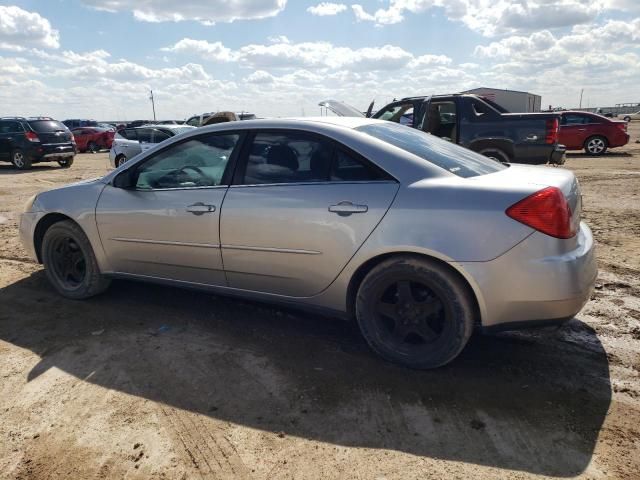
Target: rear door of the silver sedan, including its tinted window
<point>300,207</point>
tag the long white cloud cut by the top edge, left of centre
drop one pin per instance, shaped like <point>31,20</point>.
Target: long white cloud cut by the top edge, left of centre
<point>204,11</point>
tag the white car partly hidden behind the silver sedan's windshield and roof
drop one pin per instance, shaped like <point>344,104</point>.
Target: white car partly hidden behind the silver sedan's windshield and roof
<point>129,142</point>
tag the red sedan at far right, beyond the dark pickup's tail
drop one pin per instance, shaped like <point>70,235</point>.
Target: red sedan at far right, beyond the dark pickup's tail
<point>591,132</point>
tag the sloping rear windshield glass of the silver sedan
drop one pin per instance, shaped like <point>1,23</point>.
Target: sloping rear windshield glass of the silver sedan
<point>453,158</point>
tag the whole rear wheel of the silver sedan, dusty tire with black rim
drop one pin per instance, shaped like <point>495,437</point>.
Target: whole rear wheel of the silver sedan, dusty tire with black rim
<point>415,312</point>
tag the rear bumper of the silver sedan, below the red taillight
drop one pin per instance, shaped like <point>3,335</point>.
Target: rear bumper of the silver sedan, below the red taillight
<point>528,285</point>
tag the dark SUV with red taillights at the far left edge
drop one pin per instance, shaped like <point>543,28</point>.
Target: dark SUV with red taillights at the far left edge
<point>24,141</point>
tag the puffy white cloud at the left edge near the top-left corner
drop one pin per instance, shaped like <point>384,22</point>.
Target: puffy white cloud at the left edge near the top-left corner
<point>20,29</point>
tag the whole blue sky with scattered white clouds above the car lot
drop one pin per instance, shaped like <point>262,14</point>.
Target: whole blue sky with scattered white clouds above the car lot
<point>100,58</point>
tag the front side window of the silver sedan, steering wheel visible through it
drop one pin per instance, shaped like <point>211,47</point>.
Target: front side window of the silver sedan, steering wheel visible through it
<point>199,162</point>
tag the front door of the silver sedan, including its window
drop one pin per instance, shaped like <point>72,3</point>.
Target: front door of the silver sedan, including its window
<point>166,226</point>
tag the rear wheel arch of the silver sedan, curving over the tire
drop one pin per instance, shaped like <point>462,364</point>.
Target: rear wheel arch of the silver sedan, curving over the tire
<point>362,271</point>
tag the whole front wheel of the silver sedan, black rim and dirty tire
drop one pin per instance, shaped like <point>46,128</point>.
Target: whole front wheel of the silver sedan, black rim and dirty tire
<point>70,263</point>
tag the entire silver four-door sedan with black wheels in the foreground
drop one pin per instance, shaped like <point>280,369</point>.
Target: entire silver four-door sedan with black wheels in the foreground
<point>417,239</point>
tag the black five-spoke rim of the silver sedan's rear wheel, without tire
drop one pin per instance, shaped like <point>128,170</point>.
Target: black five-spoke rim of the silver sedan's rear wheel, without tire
<point>409,314</point>
